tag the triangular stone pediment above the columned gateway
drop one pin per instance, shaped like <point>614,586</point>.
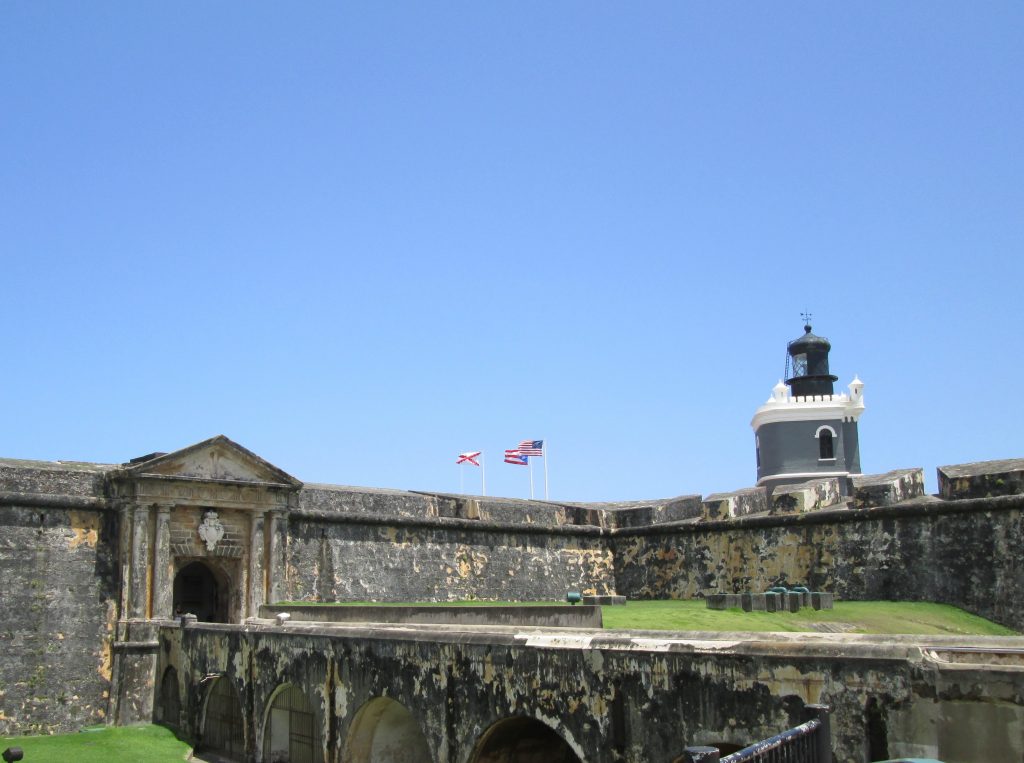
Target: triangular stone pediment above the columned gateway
<point>217,459</point>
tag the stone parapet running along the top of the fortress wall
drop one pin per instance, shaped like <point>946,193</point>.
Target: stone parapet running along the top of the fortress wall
<point>37,484</point>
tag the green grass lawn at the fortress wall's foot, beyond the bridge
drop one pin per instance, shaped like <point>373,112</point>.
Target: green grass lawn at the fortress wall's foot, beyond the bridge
<point>915,618</point>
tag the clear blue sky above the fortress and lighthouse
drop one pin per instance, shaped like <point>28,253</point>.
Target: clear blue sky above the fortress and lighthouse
<point>359,239</point>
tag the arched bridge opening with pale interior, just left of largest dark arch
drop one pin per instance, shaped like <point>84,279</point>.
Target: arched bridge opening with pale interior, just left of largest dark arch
<point>386,732</point>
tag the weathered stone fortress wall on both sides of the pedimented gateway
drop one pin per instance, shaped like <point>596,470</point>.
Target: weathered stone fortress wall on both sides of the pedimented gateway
<point>63,559</point>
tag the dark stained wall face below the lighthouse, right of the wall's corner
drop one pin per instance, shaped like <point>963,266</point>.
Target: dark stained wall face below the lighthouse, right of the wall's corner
<point>965,553</point>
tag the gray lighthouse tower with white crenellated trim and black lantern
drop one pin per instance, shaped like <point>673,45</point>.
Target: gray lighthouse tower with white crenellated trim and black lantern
<point>805,431</point>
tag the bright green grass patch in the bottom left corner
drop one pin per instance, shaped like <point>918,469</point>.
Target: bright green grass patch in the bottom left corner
<point>138,744</point>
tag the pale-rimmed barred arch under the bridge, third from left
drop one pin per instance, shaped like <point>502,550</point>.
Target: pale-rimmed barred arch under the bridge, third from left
<point>292,728</point>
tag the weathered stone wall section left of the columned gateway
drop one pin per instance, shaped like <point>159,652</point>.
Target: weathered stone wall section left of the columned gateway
<point>59,552</point>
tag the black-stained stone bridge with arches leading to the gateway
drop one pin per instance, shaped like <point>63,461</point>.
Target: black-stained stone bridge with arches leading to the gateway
<point>611,697</point>
